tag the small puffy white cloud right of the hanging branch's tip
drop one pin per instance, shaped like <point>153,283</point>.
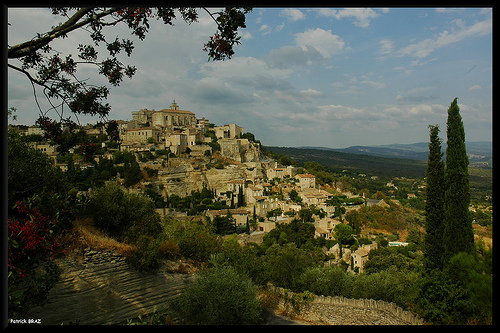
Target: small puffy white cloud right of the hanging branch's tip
<point>323,41</point>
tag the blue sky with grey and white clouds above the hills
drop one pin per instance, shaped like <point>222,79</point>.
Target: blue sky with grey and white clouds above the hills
<point>329,77</point>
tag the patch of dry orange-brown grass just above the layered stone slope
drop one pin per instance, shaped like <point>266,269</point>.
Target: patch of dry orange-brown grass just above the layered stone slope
<point>85,235</point>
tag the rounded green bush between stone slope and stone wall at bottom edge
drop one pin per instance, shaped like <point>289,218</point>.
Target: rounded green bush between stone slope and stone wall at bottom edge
<point>219,296</point>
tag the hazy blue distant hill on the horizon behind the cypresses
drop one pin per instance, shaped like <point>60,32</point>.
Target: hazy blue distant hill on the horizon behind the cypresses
<point>479,152</point>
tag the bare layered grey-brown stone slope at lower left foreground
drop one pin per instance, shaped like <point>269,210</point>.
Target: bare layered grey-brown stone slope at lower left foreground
<point>102,289</point>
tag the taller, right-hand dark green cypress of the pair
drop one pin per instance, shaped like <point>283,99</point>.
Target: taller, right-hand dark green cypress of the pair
<point>459,235</point>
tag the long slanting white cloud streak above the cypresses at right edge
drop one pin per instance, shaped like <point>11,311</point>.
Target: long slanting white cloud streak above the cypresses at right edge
<point>424,48</point>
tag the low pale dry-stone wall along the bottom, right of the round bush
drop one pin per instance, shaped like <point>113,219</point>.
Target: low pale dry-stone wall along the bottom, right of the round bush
<point>328,310</point>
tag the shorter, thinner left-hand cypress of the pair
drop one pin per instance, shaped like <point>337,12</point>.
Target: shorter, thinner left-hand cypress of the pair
<point>434,205</point>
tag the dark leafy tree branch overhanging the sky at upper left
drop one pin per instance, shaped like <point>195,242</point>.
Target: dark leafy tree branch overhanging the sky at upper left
<point>55,73</point>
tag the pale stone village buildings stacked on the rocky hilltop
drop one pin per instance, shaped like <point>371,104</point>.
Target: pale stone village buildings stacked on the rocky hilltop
<point>179,153</point>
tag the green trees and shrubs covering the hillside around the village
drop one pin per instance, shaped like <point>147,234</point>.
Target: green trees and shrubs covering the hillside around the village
<point>60,218</point>
